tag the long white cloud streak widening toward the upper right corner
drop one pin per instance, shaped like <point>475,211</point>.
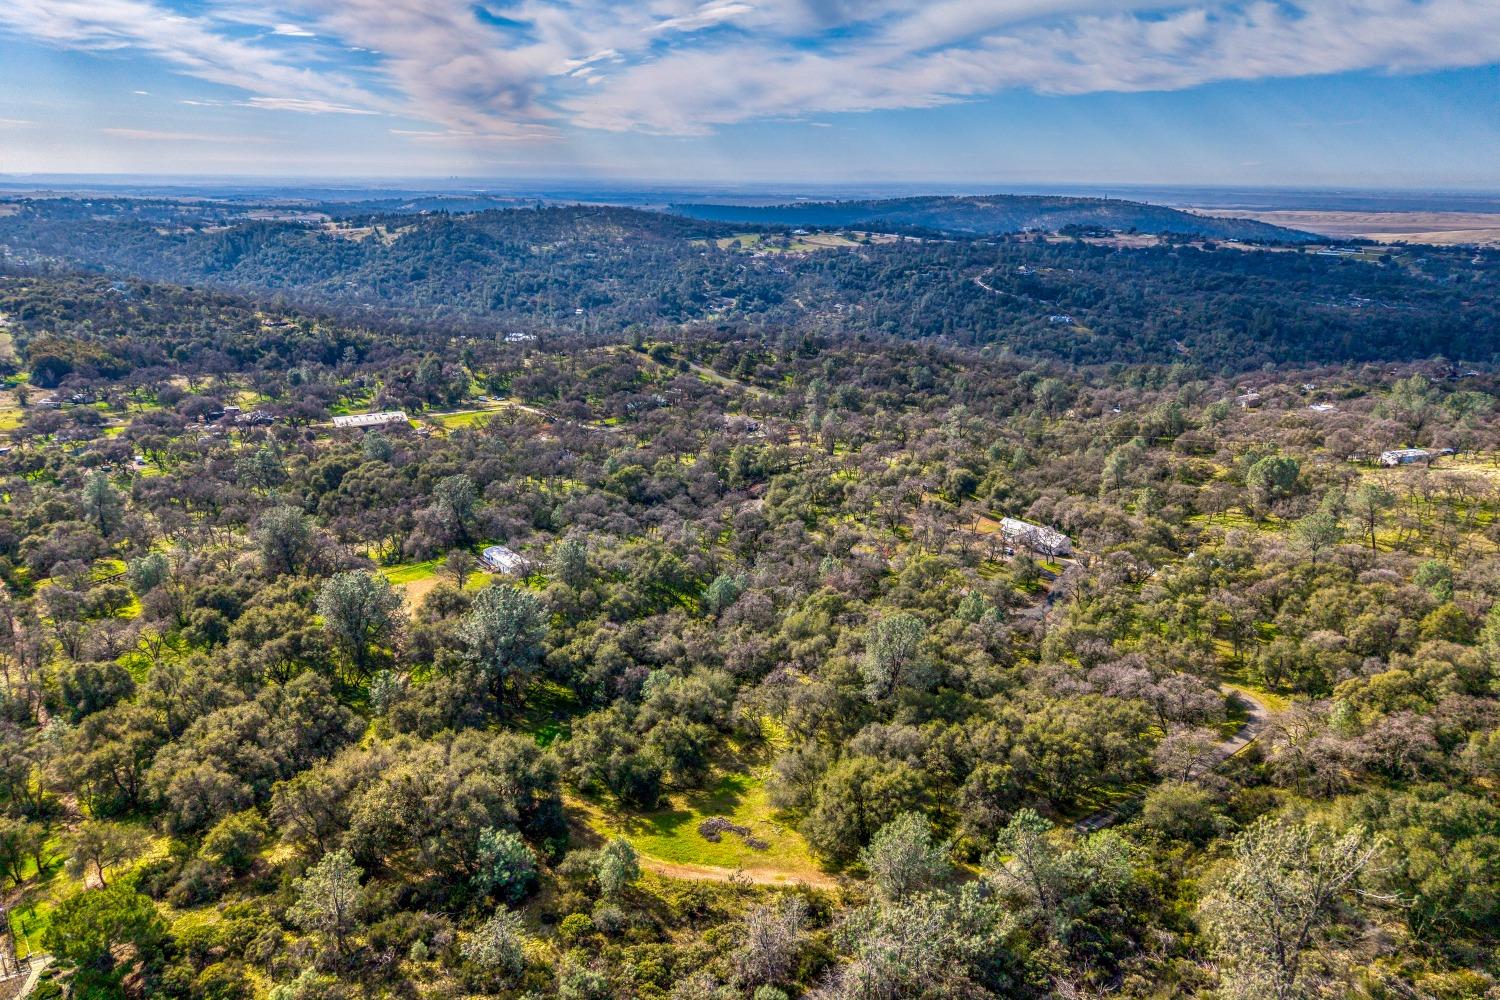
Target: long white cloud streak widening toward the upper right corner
<point>697,89</point>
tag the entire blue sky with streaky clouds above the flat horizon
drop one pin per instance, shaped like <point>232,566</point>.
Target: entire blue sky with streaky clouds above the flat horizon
<point>1330,94</point>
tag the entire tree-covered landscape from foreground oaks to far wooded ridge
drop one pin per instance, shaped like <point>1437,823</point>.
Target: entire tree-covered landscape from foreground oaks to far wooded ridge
<point>833,621</point>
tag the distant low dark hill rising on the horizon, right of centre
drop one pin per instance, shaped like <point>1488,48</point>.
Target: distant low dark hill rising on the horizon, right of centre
<point>992,215</point>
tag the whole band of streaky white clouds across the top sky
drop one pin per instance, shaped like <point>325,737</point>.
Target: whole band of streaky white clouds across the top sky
<point>689,67</point>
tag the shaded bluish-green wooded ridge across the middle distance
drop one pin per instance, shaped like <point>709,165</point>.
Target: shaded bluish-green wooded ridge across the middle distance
<point>599,272</point>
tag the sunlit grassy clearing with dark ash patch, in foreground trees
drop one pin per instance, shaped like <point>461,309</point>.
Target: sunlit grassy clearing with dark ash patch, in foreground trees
<point>671,834</point>
